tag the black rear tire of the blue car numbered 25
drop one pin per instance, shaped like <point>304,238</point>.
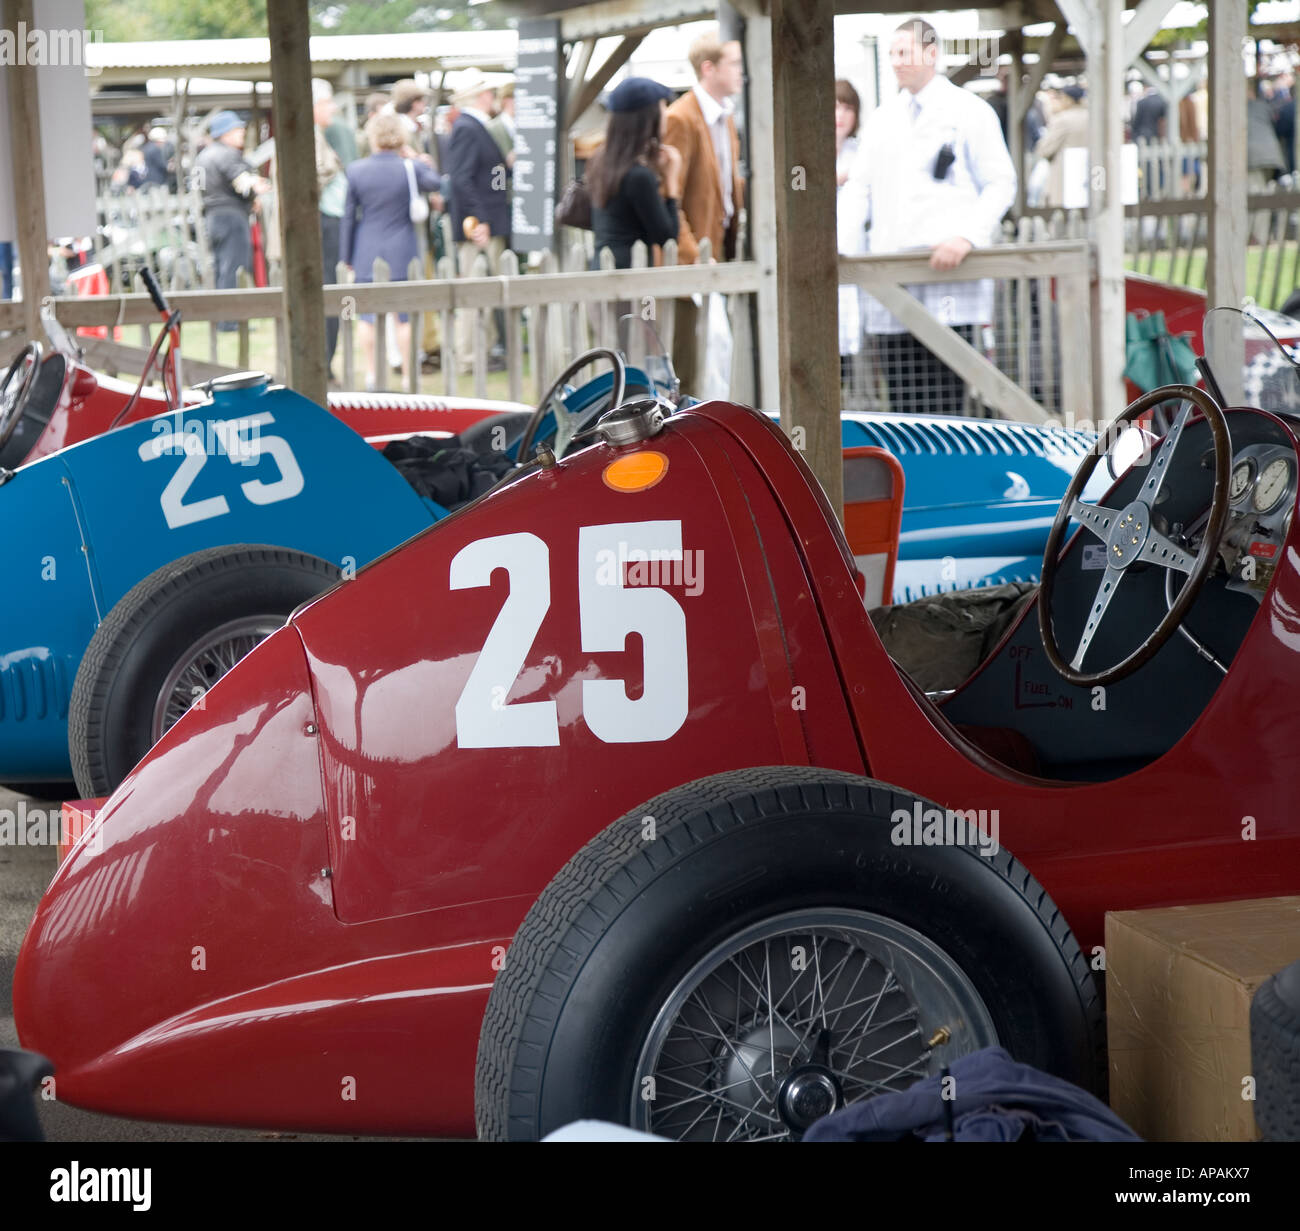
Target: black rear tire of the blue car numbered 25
<point>157,626</point>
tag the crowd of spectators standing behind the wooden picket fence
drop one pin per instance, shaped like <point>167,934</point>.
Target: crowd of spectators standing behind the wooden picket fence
<point>928,171</point>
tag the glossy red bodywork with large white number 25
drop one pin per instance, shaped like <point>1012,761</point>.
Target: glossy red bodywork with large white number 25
<point>292,913</point>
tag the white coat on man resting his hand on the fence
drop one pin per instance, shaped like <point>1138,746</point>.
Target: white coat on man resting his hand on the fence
<point>892,187</point>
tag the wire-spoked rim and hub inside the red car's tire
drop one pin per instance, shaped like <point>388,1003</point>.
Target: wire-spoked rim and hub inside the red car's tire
<point>796,1017</point>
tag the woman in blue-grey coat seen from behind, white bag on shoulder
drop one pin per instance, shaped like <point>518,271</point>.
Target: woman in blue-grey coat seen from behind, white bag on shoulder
<point>376,223</point>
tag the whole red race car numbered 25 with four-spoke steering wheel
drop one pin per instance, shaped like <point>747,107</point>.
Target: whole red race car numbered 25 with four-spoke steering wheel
<point>605,799</point>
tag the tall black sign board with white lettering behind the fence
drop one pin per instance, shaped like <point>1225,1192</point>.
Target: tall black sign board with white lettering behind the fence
<point>539,81</point>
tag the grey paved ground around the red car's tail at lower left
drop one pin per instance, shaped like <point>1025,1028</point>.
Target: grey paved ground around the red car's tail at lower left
<point>24,874</point>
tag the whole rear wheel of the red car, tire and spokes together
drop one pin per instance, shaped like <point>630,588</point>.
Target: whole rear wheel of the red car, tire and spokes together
<point>766,957</point>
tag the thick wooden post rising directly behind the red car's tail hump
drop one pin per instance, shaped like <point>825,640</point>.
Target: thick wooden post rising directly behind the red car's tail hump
<point>807,261</point>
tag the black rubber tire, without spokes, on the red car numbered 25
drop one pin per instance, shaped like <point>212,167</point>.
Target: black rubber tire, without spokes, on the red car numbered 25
<point>627,922</point>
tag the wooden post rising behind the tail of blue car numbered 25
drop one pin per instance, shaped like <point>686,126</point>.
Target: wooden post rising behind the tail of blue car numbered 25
<point>300,198</point>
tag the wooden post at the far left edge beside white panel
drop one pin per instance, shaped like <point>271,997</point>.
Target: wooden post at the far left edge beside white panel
<point>28,171</point>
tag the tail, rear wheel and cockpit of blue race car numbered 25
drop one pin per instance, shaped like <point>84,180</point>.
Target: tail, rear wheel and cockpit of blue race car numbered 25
<point>145,562</point>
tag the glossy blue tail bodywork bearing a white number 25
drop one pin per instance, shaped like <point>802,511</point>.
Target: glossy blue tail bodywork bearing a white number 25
<point>258,466</point>
